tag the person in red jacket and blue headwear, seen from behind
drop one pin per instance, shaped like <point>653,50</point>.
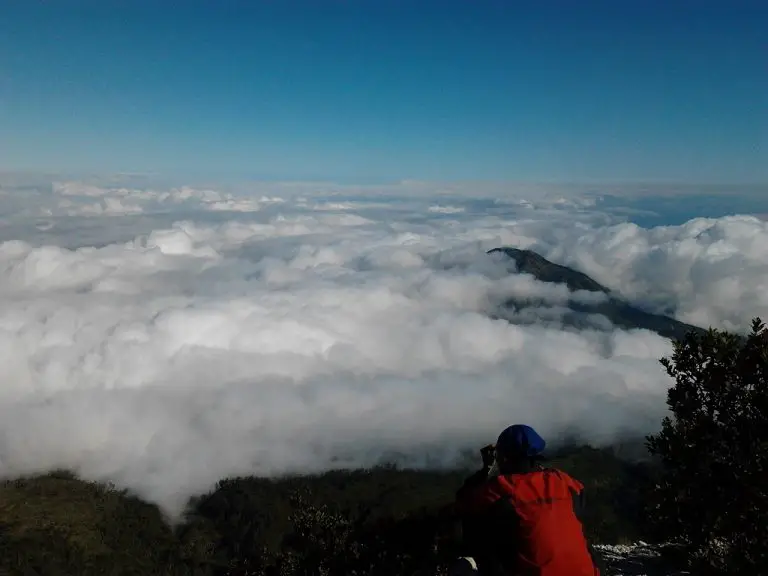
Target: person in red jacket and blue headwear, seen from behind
<point>521,519</point>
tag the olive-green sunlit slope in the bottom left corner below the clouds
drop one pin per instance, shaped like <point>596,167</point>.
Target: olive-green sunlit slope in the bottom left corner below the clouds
<point>57,524</point>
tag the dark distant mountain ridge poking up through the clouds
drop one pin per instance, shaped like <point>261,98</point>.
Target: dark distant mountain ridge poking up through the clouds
<point>620,312</point>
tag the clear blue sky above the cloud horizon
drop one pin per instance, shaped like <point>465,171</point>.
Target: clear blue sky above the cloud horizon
<point>375,90</point>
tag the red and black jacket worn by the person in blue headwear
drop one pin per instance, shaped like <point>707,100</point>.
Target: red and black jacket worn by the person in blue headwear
<point>527,524</point>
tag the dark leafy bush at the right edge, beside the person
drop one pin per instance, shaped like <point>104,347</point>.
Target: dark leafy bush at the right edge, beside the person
<point>713,491</point>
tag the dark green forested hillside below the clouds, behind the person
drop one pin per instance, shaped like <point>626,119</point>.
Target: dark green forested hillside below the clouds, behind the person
<point>379,521</point>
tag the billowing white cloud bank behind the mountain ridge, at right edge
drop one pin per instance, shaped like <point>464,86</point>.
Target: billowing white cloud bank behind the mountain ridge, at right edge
<point>709,271</point>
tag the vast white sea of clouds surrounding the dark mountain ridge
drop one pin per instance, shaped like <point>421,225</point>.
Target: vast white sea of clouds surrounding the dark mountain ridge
<point>164,338</point>
